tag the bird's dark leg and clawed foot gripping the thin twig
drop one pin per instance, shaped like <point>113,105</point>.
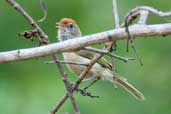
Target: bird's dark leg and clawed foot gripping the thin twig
<point>84,91</point>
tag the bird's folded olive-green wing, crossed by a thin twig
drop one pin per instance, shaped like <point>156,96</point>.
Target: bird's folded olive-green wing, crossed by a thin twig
<point>88,54</point>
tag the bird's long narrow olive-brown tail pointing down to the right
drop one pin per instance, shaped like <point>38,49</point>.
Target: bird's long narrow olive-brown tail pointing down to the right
<point>128,87</point>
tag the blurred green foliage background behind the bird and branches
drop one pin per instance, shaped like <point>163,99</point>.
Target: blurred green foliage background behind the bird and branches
<point>32,87</point>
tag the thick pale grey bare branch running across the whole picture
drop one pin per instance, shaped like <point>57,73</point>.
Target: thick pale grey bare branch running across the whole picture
<point>137,31</point>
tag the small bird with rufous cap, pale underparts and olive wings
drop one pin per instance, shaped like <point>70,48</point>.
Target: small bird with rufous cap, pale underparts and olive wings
<point>68,29</point>
